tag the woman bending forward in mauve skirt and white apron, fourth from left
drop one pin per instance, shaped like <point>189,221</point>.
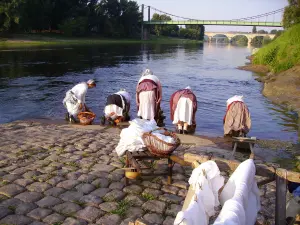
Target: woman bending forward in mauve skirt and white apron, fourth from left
<point>183,107</point>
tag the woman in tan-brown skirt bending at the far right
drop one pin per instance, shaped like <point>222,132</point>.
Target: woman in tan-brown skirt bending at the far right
<point>237,120</point>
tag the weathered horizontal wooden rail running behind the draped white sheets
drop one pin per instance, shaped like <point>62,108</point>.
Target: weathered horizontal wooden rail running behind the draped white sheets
<point>261,169</point>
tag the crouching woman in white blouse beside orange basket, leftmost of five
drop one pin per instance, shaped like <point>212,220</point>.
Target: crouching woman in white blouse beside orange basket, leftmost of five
<point>75,99</point>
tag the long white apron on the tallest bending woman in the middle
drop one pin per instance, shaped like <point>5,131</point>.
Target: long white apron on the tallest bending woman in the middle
<point>147,105</point>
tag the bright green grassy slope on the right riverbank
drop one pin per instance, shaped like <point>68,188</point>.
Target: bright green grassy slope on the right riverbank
<point>282,53</point>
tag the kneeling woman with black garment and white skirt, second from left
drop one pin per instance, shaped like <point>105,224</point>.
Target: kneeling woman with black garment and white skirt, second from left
<point>117,107</point>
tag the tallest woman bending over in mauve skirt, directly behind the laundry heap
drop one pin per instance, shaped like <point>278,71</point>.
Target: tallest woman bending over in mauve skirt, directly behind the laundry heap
<point>148,95</point>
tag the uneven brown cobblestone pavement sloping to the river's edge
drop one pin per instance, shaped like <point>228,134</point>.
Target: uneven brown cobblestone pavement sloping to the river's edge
<point>58,174</point>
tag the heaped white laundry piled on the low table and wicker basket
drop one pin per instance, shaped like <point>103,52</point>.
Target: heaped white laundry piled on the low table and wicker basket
<point>131,137</point>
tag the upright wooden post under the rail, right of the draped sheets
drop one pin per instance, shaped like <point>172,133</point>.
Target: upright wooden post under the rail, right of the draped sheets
<point>280,208</point>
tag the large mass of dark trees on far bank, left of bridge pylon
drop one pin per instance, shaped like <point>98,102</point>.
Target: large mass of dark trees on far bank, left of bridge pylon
<point>110,18</point>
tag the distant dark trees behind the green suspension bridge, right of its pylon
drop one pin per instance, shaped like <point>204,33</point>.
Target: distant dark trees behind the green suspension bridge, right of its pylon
<point>195,32</point>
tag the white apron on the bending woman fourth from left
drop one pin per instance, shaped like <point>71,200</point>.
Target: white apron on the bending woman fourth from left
<point>184,111</point>
